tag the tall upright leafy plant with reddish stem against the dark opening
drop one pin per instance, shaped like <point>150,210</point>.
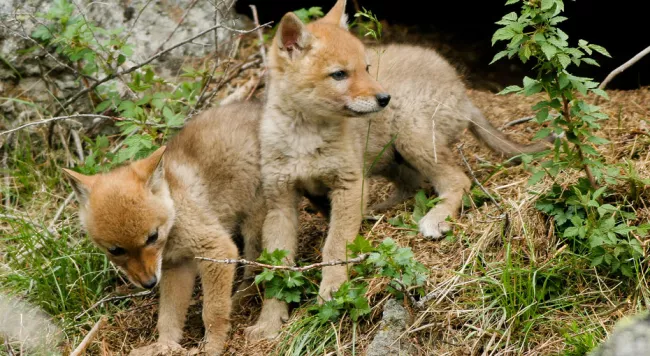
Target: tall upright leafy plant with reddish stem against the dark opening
<point>533,35</point>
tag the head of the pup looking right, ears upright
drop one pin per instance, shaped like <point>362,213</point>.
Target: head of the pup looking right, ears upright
<point>304,60</point>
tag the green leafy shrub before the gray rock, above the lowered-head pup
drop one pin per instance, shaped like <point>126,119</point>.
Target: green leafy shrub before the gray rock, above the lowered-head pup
<point>152,113</point>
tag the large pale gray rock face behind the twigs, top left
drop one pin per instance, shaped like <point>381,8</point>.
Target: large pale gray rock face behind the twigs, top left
<point>156,21</point>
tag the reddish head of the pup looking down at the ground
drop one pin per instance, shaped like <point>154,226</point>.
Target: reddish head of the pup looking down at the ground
<point>122,209</point>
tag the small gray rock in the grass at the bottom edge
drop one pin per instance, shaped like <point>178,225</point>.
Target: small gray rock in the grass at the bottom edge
<point>387,341</point>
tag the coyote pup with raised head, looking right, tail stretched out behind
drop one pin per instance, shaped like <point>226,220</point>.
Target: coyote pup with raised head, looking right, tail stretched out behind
<point>324,90</point>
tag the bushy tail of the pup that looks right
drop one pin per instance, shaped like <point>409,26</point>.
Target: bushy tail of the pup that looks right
<point>498,141</point>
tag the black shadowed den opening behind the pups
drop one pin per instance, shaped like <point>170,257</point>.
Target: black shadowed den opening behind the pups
<point>462,32</point>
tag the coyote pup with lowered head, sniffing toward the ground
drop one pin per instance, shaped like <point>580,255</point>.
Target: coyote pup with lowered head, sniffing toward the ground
<point>154,215</point>
